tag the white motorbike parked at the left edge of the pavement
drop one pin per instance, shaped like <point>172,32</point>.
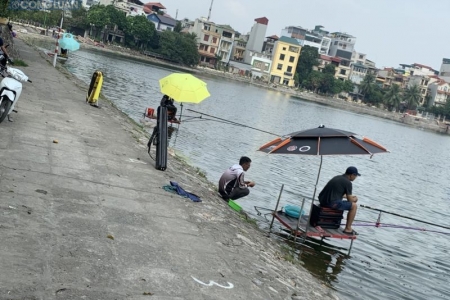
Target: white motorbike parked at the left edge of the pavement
<point>10,89</point>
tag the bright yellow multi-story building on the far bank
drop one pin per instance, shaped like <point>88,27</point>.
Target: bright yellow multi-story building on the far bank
<point>284,61</point>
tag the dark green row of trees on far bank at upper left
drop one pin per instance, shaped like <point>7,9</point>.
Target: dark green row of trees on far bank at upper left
<point>139,32</point>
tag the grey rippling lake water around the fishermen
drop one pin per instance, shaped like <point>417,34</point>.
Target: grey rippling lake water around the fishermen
<point>385,263</point>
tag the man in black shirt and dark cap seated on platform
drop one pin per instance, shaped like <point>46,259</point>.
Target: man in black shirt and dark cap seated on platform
<point>337,188</point>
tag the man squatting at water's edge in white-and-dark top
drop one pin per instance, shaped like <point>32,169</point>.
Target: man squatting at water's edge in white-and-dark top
<point>232,184</point>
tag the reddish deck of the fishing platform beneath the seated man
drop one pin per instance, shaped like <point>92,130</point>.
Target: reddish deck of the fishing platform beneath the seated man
<point>291,224</point>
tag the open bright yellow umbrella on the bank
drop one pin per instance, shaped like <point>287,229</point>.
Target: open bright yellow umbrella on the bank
<point>184,87</point>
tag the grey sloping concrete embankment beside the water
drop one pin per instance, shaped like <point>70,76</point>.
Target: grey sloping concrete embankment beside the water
<point>83,214</point>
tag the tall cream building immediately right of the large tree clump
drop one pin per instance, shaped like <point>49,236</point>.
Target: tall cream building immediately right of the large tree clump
<point>208,38</point>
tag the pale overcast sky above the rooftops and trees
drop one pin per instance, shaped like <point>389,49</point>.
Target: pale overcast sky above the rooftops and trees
<point>390,32</point>
